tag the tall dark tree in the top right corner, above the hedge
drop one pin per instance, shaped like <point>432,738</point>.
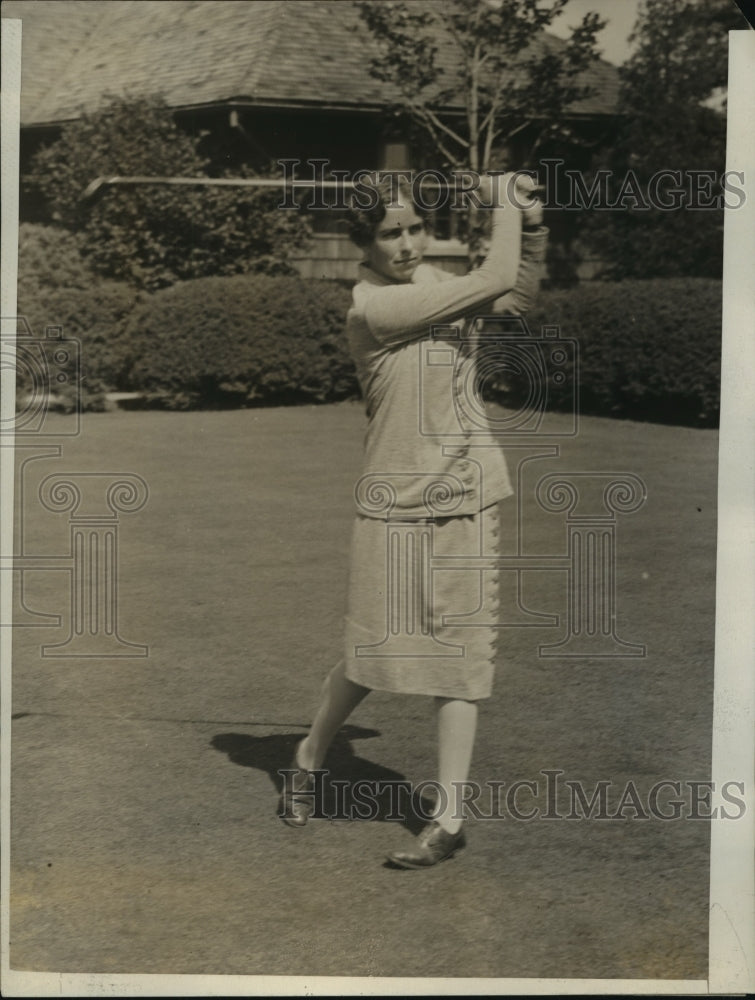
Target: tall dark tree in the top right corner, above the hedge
<point>672,122</point>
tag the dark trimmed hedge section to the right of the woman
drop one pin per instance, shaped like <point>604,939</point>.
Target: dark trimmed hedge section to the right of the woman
<point>648,350</point>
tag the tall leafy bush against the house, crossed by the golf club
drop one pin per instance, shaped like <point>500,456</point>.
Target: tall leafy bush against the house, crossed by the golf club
<point>153,236</point>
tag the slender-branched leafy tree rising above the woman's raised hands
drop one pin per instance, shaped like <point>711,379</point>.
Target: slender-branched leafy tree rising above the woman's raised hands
<point>492,54</point>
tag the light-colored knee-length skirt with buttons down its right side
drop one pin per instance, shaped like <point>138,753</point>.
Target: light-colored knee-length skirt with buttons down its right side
<point>422,607</point>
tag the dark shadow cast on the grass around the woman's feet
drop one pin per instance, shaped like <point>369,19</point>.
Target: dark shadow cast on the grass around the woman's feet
<point>390,796</point>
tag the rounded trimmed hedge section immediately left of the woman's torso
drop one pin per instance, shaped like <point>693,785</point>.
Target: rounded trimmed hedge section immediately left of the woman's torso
<point>249,340</point>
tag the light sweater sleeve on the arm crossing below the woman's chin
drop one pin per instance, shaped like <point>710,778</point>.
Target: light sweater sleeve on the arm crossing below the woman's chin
<point>398,313</point>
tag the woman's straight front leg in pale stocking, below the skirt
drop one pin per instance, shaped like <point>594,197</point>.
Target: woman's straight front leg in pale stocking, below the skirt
<point>457,725</point>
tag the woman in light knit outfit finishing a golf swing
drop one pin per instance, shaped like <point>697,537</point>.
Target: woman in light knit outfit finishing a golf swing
<point>433,475</point>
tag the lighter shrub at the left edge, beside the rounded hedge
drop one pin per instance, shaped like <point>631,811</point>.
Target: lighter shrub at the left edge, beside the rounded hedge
<point>56,288</point>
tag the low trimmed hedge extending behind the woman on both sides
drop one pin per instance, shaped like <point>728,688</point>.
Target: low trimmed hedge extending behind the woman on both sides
<point>648,350</point>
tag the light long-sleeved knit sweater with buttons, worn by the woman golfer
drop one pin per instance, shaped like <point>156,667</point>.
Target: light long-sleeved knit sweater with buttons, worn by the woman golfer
<point>430,450</point>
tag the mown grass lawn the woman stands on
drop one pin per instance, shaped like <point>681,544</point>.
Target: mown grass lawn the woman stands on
<point>144,790</point>
